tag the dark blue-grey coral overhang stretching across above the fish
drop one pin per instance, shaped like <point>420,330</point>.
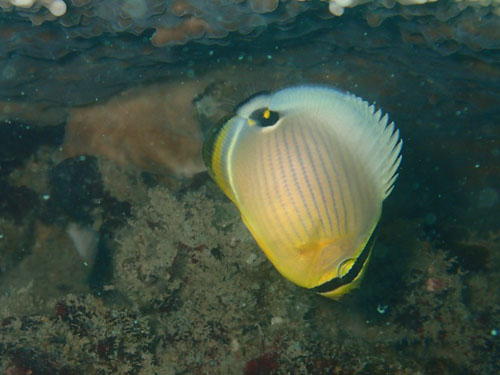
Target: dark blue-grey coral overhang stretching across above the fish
<point>44,68</point>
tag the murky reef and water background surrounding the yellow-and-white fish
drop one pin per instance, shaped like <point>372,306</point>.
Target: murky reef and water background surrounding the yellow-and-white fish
<point>119,255</point>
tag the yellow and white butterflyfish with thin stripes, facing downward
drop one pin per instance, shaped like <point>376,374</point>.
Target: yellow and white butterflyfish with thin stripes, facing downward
<point>308,168</point>
